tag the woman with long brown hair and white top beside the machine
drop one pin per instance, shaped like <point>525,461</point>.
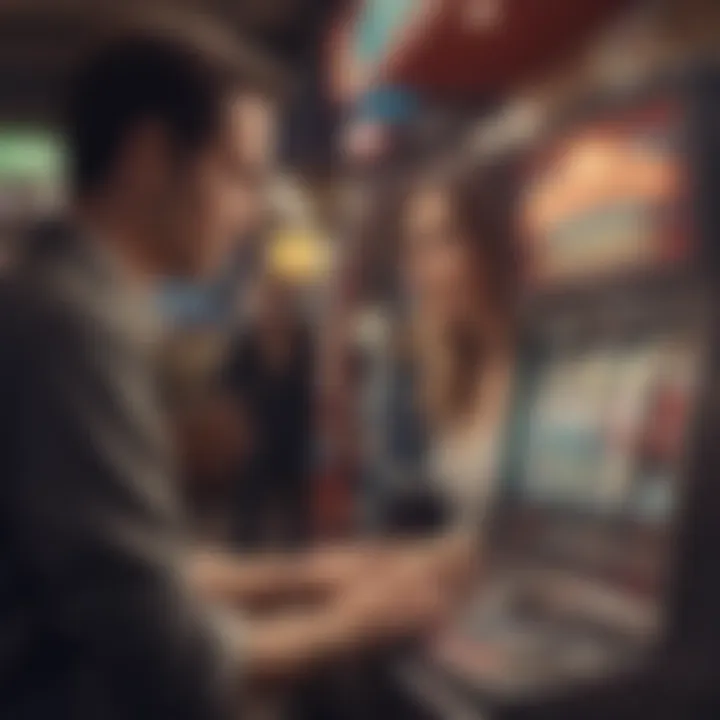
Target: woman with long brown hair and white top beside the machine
<point>460,272</point>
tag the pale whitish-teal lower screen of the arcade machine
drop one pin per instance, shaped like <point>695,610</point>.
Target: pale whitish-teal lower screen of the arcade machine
<point>607,428</point>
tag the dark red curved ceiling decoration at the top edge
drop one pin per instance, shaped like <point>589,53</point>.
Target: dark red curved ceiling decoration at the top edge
<point>478,46</point>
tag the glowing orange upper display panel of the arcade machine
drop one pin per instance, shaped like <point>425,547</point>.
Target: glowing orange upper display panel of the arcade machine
<point>607,199</point>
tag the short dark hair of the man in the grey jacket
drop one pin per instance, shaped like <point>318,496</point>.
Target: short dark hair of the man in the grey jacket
<point>180,80</point>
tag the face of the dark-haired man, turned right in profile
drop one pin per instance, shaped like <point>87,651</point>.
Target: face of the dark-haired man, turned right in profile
<point>220,197</point>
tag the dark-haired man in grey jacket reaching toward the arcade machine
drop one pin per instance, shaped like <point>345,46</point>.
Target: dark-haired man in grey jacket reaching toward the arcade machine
<point>104,612</point>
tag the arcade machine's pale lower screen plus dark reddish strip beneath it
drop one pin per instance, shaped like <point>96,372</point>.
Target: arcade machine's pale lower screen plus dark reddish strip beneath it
<point>598,467</point>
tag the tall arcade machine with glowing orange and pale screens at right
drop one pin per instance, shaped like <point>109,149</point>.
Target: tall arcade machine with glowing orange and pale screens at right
<point>601,593</point>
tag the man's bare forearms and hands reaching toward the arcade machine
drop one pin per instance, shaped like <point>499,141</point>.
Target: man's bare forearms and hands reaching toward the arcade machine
<point>381,595</point>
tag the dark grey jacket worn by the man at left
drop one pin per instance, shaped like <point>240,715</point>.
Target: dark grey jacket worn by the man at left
<point>95,620</point>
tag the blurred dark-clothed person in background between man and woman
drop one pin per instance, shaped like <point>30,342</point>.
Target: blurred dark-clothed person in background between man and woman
<point>270,377</point>
